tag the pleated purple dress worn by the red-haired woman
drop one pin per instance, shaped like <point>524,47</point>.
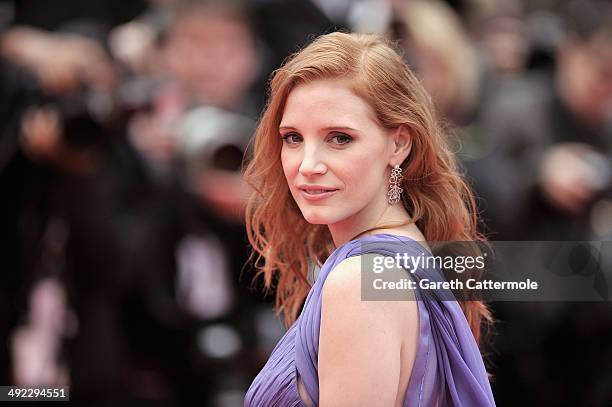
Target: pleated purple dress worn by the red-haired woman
<point>448,369</point>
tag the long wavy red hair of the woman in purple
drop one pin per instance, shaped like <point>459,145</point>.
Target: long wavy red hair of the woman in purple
<point>436,196</point>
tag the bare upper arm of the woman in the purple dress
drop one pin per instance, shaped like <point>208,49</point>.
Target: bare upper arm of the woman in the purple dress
<point>363,344</point>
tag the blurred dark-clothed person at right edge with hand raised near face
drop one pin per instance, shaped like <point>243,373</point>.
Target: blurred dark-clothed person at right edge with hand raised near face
<point>551,148</point>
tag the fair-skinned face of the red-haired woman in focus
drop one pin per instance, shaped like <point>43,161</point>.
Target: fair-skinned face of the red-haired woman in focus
<point>335,154</point>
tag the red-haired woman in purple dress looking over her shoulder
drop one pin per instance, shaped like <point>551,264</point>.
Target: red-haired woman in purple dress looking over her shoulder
<point>348,146</point>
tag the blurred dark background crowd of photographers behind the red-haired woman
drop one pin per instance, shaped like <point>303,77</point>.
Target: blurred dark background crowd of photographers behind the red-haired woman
<point>123,127</point>
